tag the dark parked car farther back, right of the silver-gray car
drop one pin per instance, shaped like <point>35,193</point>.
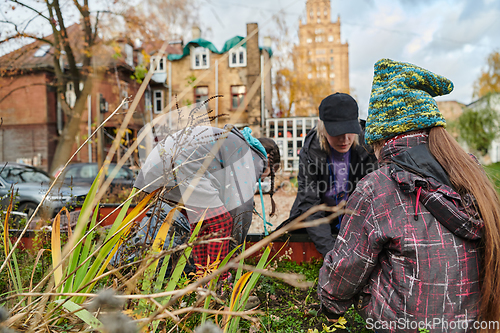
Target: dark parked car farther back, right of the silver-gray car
<point>85,173</point>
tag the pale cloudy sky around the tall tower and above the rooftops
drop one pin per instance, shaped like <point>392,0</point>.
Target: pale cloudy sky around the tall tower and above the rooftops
<point>450,37</point>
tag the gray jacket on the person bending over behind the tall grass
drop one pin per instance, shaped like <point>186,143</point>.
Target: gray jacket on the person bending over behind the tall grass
<point>206,167</point>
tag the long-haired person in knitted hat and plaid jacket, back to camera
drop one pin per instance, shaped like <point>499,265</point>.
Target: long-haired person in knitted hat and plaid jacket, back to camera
<point>421,249</point>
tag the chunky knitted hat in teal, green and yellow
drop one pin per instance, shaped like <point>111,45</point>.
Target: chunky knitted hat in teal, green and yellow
<point>402,100</point>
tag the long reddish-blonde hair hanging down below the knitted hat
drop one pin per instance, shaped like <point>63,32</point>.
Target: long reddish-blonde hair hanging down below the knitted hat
<point>469,177</point>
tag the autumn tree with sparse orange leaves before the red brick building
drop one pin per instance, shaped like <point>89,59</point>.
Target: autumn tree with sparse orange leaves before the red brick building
<point>100,23</point>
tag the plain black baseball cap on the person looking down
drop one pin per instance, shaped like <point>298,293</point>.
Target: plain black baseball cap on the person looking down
<point>339,113</point>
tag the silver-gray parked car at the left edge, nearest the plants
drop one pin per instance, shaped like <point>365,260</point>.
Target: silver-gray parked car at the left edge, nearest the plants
<point>30,184</point>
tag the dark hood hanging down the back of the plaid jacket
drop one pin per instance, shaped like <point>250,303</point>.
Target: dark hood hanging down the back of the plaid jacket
<point>417,171</point>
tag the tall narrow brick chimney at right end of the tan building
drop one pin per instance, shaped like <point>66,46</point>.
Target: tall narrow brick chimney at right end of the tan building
<point>253,73</point>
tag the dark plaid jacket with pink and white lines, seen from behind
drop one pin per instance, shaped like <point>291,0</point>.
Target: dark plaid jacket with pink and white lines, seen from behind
<point>411,252</point>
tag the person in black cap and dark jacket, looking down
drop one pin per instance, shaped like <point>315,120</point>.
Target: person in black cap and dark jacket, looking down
<point>331,163</point>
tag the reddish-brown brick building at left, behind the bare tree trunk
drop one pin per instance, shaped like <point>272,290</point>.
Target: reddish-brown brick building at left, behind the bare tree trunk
<point>31,109</point>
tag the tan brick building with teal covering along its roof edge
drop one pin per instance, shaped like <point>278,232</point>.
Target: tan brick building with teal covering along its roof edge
<point>230,72</point>
